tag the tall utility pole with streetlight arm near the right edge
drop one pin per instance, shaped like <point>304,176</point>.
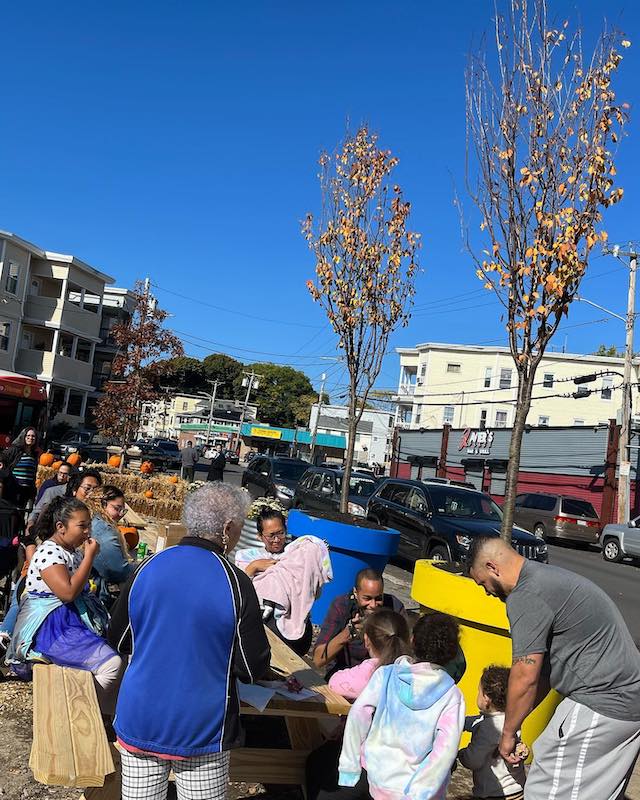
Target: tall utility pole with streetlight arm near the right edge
<point>624,472</point>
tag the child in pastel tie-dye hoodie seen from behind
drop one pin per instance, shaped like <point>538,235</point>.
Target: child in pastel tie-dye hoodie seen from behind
<point>404,729</point>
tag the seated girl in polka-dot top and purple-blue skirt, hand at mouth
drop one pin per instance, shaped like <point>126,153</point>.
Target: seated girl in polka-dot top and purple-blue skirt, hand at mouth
<point>59,621</point>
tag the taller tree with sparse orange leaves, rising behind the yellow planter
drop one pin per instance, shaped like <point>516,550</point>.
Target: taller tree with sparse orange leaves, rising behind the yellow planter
<point>543,123</point>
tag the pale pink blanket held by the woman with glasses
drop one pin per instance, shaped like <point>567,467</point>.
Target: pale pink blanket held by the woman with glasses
<point>293,584</point>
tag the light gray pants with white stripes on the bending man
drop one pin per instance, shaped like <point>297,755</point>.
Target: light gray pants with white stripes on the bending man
<point>582,755</point>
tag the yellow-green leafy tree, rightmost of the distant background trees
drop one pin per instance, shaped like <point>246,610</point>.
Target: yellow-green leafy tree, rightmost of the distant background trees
<point>280,394</point>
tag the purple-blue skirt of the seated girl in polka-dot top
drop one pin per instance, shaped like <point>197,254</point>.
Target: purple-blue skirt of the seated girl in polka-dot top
<point>65,640</point>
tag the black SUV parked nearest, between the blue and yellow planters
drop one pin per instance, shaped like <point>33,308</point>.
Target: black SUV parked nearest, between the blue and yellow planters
<point>439,521</point>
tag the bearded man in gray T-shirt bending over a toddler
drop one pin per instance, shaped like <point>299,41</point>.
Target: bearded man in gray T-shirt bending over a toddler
<point>566,634</point>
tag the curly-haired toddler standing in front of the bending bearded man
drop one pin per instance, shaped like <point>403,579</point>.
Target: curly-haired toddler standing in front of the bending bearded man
<point>492,777</point>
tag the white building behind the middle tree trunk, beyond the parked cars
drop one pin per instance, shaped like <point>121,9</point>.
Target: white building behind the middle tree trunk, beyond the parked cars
<point>373,436</point>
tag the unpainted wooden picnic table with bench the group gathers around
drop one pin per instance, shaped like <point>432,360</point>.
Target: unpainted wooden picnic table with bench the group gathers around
<point>70,747</point>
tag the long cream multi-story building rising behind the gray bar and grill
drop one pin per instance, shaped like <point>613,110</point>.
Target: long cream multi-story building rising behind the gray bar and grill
<point>473,386</point>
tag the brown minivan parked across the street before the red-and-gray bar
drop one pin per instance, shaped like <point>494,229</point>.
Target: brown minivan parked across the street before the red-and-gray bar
<point>556,515</point>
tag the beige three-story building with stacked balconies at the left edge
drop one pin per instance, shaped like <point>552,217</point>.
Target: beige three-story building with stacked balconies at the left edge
<point>50,321</point>
